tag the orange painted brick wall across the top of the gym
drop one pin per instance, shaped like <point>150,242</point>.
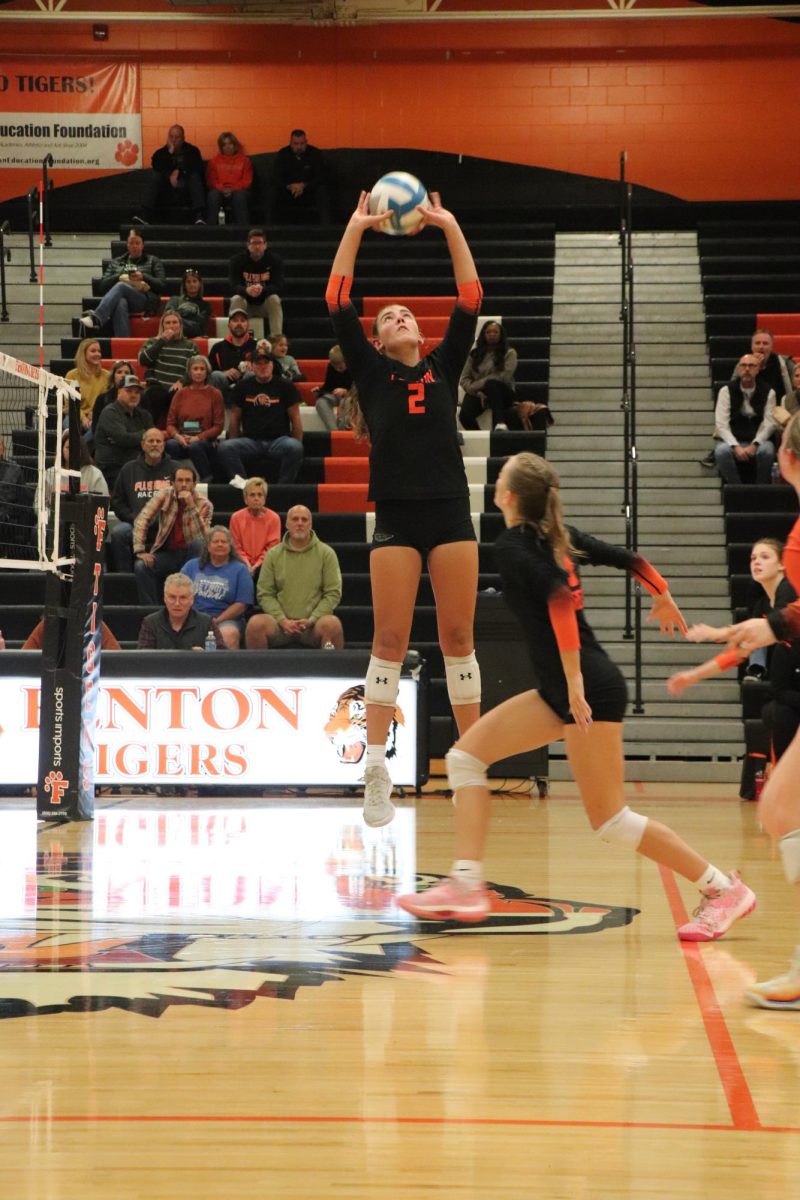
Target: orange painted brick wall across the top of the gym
<point>706,109</point>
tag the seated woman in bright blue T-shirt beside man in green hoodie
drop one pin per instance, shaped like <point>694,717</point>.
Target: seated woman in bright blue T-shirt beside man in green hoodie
<point>224,587</point>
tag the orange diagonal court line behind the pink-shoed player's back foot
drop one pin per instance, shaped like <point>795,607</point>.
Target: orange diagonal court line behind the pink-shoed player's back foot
<point>732,1077</point>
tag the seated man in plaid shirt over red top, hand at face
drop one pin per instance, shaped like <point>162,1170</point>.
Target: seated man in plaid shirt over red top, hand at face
<point>184,521</point>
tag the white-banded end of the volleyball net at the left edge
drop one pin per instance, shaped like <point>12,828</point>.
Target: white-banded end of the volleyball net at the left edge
<point>35,410</point>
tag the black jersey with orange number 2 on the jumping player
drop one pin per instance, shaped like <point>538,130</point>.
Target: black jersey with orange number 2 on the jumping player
<point>411,412</point>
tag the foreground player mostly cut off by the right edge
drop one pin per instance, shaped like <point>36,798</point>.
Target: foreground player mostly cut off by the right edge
<point>780,806</point>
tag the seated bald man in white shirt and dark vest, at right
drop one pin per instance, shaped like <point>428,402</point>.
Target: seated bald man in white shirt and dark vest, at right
<point>744,424</point>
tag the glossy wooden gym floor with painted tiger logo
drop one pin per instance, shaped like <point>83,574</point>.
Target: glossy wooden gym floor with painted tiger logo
<point>218,1000</point>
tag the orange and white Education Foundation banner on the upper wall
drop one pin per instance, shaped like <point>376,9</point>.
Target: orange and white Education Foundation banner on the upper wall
<point>87,116</point>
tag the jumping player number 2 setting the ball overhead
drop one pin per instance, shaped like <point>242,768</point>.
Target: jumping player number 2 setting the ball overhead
<point>419,485</point>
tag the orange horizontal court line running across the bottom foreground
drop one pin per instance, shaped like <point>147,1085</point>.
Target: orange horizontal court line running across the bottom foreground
<point>260,1119</point>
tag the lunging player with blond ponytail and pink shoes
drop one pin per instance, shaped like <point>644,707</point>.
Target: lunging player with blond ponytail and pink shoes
<point>582,699</point>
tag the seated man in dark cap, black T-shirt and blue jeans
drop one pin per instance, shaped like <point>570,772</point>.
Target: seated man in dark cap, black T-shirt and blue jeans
<point>266,427</point>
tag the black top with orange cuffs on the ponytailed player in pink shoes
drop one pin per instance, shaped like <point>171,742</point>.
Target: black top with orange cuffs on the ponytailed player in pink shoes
<point>548,598</point>
